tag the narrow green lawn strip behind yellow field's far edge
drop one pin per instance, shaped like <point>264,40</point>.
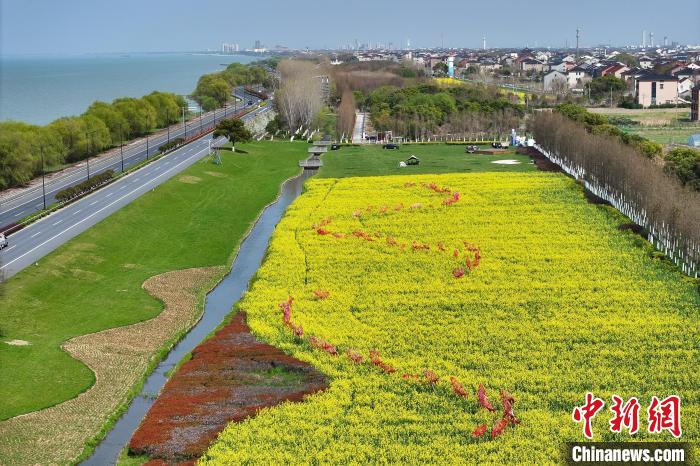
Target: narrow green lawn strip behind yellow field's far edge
<point>372,160</point>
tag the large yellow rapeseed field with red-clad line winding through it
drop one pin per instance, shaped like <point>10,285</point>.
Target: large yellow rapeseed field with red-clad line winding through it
<point>510,280</point>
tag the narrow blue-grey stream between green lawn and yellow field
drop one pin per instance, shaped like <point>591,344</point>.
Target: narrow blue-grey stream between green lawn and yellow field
<point>217,305</point>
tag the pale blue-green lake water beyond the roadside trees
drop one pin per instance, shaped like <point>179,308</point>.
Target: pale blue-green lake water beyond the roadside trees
<point>39,89</point>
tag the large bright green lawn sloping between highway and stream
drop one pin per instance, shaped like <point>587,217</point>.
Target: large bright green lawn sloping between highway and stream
<point>93,282</point>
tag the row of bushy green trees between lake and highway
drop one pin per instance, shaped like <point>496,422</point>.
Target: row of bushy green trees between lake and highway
<point>74,138</point>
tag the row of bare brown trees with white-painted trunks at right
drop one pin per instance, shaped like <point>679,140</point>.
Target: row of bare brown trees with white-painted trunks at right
<point>637,186</point>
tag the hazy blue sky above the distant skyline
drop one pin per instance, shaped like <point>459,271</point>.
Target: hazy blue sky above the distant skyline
<point>93,26</point>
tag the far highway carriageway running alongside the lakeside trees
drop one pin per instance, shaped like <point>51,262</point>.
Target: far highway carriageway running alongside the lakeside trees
<point>30,200</point>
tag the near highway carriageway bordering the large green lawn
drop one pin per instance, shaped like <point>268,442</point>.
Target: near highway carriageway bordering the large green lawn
<point>29,245</point>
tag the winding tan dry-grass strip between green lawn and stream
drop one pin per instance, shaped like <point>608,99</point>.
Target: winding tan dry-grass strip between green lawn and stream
<point>119,357</point>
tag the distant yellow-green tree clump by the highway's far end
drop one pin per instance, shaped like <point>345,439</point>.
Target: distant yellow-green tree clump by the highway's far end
<point>214,90</point>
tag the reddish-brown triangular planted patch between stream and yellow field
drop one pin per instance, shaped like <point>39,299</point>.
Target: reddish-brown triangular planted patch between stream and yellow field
<point>229,378</point>
